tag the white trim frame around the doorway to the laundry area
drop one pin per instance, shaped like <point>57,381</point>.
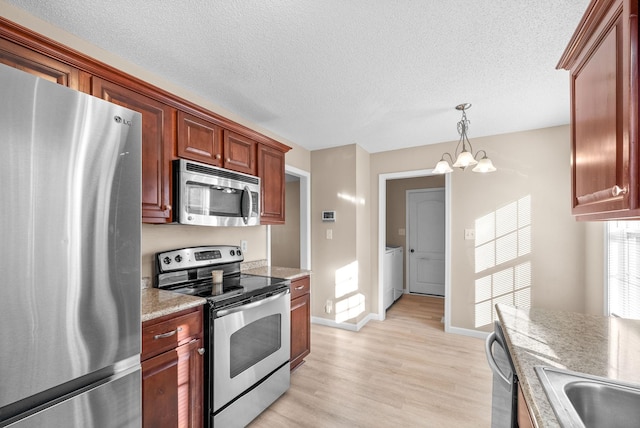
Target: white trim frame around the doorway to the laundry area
<point>382,235</point>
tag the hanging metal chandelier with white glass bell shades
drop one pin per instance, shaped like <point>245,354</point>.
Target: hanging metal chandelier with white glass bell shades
<point>466,157</point>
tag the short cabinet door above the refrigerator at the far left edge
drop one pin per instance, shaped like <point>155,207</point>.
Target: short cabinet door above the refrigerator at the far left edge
<point>40,65</point>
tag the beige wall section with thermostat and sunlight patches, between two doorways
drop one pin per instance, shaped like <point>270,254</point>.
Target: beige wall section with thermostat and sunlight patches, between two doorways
<point>338,274</point>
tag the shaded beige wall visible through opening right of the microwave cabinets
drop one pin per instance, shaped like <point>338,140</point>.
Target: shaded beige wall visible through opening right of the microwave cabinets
<point>285,238</point>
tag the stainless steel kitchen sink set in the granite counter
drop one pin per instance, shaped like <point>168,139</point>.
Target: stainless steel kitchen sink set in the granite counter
<point>582,400</point>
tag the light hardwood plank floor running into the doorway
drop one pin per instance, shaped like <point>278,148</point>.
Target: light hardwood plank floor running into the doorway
<point>402,372</point>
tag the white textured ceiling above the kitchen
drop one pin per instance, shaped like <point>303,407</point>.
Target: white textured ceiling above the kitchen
<point>384,74</point>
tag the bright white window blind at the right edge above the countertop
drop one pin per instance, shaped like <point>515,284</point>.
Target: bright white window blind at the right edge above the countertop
<point>623,267</point>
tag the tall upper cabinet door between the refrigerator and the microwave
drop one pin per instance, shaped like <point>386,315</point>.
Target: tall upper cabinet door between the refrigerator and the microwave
<point>158,136</point>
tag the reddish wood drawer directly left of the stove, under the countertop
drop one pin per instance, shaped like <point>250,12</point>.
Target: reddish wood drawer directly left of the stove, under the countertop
<point>164,334</point>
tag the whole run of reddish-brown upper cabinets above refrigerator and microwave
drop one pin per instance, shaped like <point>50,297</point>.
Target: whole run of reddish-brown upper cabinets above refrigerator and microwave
<point>172,127</point>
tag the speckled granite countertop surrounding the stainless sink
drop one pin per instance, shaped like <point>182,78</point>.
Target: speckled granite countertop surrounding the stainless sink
<point>597,345</point>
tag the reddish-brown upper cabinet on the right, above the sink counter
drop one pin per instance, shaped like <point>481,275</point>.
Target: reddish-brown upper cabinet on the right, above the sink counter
<point>602,60</point>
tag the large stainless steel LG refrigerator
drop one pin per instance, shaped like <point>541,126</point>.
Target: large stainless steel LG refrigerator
<point>70,167</point>
